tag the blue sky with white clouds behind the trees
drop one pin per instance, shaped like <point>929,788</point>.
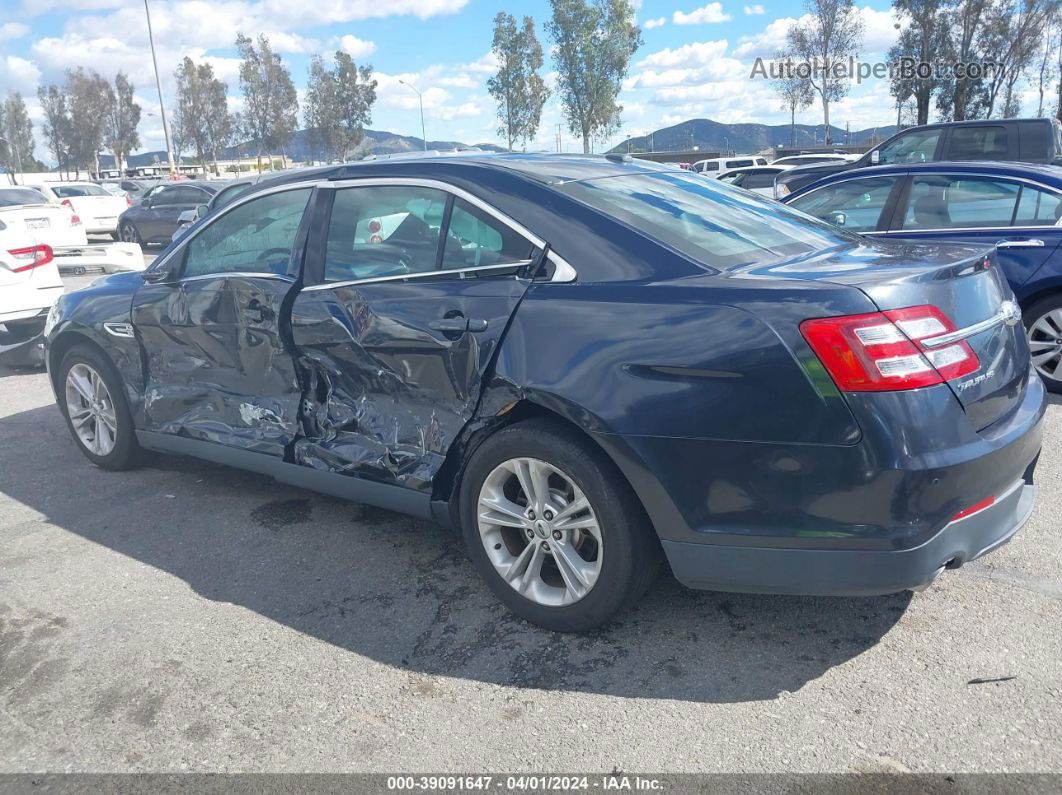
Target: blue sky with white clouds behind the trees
<point>695,61</point>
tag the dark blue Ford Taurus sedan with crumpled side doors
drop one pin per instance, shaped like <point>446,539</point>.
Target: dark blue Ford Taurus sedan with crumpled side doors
<point>588,366</point>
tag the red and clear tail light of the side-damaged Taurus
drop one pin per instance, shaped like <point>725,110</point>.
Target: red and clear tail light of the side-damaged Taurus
<point>884,351</point>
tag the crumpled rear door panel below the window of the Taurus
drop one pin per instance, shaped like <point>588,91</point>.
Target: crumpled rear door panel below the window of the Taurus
<point>386,394</point>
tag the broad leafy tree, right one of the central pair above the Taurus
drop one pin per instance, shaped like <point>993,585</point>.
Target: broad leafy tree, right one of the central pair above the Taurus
<point>595,42</point>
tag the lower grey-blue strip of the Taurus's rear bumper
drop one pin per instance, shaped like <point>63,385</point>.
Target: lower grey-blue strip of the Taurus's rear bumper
<point>851,573</point>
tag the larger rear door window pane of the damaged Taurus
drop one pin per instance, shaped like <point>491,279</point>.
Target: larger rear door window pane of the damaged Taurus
<point>384,232</point>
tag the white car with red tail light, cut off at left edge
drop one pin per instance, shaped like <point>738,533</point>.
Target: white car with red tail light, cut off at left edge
<point>30,285</point>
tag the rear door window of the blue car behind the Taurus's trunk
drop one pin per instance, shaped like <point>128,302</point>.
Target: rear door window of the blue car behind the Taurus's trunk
<point>939,202</point>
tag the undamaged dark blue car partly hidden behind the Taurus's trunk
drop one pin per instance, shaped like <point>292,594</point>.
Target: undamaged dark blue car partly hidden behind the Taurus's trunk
<point>1015,208</point>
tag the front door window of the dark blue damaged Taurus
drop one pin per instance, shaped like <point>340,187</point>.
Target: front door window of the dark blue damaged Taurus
<point>256,237</point>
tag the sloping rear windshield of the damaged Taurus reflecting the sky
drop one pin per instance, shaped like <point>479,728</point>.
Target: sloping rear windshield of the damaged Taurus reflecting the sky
<point>711,222</point>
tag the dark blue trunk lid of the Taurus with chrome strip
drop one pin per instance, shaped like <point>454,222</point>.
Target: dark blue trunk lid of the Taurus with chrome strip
<point>965,283</point>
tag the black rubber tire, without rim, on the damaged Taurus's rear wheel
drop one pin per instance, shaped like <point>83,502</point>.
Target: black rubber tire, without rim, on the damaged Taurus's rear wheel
<point>631,557</point>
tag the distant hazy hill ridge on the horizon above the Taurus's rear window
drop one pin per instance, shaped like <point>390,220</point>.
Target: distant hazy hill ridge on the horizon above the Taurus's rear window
<point>708,135</point>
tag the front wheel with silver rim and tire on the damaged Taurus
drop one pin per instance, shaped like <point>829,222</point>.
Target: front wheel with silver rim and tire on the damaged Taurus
<point>96,411</point>
